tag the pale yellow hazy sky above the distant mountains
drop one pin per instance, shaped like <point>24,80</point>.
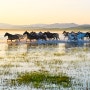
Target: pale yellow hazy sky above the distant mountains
<point>44,11</point>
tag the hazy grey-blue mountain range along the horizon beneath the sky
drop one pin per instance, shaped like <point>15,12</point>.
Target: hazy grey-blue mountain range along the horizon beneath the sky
<point>46,26</point>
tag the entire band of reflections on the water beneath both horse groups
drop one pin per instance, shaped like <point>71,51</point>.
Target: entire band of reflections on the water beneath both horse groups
<point>14,48</point>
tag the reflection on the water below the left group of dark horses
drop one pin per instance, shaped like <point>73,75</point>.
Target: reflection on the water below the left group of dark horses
<point>16,48</point>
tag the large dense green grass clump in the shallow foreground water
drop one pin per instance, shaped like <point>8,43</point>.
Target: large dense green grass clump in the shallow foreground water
<point>40,78</point>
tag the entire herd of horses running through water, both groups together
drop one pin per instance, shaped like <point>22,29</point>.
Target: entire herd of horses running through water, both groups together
<point>47,36</point>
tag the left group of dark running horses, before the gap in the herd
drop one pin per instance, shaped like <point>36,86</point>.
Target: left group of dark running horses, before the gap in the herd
<point>33,36</point>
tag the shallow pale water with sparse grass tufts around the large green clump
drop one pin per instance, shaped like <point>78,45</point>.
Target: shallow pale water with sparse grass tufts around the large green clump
<point>68,58</point>
